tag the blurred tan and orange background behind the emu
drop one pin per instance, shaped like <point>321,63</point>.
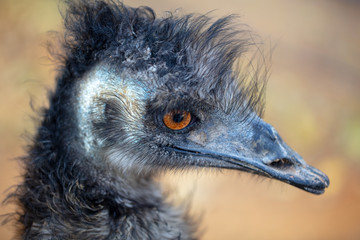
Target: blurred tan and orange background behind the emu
<point>312,100</point>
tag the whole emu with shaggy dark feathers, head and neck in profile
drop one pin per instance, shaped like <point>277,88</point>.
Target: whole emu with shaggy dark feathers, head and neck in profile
<point>137,95</point>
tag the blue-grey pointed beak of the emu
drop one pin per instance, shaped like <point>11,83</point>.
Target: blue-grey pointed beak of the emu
<point>255,148</point>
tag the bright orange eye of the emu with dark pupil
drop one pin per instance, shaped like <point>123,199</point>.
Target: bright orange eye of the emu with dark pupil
<point>177,119</point>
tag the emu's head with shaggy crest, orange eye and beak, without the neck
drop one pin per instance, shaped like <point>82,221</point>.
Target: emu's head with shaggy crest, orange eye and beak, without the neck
<point>163,94</point>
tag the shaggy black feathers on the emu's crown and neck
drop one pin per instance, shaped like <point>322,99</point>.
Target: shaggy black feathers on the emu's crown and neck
<point>64,194</point>
